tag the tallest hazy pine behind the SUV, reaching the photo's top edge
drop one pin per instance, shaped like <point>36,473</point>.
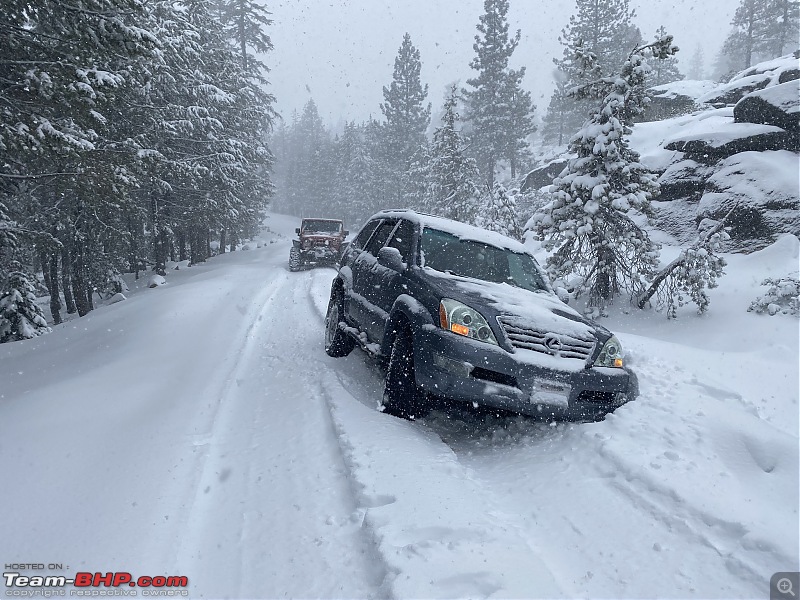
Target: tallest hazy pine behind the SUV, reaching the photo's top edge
<point>497,108</point>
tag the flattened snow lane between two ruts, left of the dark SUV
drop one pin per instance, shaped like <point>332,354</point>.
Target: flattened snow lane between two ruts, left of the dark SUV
<point>270,514</point>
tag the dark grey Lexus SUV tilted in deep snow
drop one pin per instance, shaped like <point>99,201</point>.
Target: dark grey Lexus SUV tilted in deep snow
<point>467,314</point>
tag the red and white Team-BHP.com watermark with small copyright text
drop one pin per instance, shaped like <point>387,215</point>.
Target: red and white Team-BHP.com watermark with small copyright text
<point>52,579</point>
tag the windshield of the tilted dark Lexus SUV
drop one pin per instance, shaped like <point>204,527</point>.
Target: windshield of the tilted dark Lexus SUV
<point>448,253</point>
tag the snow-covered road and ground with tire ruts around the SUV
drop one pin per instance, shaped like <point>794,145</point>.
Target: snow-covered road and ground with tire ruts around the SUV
<point>199,429</point>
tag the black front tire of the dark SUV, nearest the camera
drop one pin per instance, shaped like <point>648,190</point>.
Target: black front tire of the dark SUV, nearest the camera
<point>401,395</point>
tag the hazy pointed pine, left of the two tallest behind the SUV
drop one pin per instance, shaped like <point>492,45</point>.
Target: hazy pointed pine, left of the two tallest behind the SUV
<point>407,119</point>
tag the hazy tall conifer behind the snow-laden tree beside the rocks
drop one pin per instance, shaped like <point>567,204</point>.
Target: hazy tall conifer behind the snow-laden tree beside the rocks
<point>604,27</point>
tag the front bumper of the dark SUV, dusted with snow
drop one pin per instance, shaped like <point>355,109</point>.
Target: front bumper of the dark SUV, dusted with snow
<point>461,369</point>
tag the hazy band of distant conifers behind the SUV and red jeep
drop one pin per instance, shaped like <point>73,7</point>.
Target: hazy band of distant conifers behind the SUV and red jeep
<point>391,162</point>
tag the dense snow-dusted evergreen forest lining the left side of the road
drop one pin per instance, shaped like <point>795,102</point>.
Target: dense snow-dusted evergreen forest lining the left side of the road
<point>131,132</point>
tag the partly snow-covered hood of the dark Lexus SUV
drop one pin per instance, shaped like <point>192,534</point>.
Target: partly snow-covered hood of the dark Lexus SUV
<point>539,310</point>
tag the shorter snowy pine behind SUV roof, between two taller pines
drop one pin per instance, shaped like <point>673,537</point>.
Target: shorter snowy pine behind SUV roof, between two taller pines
<point>453,192</point>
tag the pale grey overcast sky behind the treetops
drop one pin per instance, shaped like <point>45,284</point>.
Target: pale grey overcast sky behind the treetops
<point>341,53</point>
